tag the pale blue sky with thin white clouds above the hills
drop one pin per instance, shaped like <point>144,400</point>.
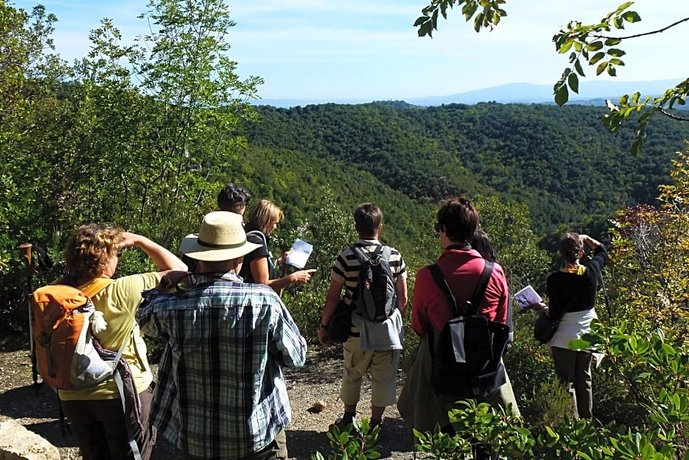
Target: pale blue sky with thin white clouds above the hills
<point>359,50</point>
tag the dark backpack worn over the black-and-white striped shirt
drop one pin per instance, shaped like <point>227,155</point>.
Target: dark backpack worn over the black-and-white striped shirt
<point>375,296</point>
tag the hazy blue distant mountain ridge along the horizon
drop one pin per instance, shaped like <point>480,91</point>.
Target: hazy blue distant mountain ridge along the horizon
<point>590,93</point>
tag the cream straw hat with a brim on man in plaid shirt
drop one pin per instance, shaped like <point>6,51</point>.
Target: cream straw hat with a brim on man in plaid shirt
<point>221,237</point>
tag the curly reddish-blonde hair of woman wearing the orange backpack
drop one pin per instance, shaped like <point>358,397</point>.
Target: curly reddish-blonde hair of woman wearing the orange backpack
<point>90,248</point>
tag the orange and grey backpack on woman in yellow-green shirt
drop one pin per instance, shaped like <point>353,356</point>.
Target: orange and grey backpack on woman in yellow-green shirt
<point>68,355</point>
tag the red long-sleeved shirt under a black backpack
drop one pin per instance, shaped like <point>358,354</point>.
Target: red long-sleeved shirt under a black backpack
<point>462,269</point>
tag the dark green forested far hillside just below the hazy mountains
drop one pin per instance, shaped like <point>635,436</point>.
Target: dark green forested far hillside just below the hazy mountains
<point>560,161</point>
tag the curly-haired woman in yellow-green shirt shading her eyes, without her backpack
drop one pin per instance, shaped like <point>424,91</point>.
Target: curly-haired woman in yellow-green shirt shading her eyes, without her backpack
<point>98,422</point>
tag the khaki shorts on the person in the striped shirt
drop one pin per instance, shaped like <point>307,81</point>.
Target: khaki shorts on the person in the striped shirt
<point>382,366</point>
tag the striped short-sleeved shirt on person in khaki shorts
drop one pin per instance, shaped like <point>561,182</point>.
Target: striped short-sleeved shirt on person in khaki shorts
<point>347,266</point>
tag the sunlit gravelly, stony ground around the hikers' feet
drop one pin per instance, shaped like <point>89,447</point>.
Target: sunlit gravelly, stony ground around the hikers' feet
<point>318,380</point>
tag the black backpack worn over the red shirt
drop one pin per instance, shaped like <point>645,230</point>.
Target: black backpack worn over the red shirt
<point>471,366</point>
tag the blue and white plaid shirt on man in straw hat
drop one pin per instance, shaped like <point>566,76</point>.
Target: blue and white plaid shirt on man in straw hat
<point>220,391</point>
